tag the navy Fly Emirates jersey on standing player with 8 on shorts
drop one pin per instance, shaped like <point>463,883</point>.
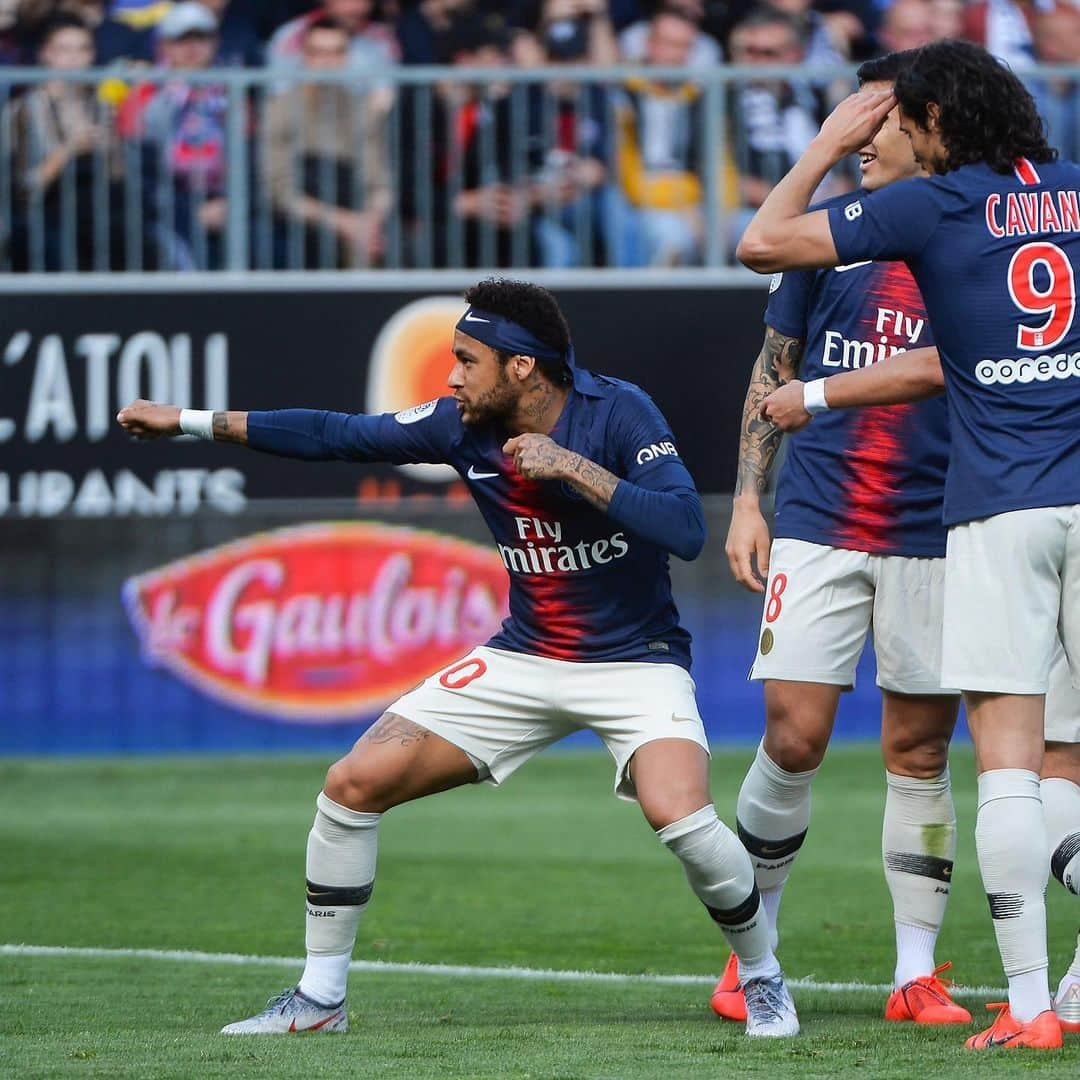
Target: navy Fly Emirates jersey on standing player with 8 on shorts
<point>872,479</point>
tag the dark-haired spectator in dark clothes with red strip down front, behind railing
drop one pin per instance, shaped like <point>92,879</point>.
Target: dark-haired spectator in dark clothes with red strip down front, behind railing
<point>468,153</point>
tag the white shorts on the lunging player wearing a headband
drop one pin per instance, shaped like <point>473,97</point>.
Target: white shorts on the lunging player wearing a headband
<point>503,708</point>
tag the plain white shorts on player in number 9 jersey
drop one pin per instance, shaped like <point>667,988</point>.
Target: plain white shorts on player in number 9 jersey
<point>1012,586</point>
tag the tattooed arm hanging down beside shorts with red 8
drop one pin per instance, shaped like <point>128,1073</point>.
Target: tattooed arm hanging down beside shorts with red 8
<point>759,442</point>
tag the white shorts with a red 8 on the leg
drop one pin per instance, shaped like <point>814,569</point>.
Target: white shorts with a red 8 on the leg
<point>821,603</point>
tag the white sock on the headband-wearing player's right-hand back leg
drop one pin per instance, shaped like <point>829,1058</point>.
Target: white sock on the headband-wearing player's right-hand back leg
<point>722,877</point>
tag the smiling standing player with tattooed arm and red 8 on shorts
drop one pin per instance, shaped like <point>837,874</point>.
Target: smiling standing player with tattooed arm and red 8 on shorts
<point>860,543</point>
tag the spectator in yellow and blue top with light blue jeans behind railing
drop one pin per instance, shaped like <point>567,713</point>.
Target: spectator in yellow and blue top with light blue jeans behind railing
<point>659,130</point>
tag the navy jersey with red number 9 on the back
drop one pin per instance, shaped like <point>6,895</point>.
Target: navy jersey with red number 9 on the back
<point>995,258</point>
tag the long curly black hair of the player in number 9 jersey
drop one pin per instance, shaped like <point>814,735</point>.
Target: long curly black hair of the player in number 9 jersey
<point>987,114</point>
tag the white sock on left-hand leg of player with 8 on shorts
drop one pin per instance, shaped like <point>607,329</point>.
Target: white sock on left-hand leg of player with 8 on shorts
<point>773,816</point>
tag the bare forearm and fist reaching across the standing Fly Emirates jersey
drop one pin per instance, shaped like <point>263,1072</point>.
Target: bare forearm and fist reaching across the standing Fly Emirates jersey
<point>899,380</point>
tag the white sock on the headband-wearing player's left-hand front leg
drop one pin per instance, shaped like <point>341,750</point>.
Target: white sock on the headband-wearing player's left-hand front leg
<point>341,871</point>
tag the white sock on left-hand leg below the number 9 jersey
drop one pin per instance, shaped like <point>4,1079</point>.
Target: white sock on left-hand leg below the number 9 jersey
<point>1011,843</point>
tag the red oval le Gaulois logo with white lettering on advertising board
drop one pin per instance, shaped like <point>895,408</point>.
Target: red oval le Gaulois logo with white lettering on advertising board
<point>320,622</point>
